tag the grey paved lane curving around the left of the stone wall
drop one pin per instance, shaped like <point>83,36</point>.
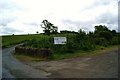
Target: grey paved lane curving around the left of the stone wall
<point>13,68</point>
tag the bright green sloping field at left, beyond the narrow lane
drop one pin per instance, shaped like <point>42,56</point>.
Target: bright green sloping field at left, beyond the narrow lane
<point>11,40</point>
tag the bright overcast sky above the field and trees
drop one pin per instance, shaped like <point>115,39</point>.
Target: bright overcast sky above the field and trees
<point>25,16</point>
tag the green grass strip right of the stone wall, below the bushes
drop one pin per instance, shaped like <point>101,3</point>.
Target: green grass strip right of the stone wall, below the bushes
<point>98,51</point>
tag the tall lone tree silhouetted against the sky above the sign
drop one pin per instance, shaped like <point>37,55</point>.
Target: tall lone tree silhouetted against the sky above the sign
<point>49,27</point>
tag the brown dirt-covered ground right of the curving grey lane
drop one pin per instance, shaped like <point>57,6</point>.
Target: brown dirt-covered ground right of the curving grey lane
<point>102,66</point>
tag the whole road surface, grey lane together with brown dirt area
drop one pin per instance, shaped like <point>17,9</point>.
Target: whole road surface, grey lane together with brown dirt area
<point>101,66</point>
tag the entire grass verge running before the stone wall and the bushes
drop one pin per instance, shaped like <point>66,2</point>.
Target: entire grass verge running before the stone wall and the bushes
<point>98,51</point>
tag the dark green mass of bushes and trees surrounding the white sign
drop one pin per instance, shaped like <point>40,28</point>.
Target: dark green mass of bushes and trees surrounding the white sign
<point>102,36</point>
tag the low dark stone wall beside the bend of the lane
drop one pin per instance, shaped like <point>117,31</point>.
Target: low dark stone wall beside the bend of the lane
<point>43,52</point>
